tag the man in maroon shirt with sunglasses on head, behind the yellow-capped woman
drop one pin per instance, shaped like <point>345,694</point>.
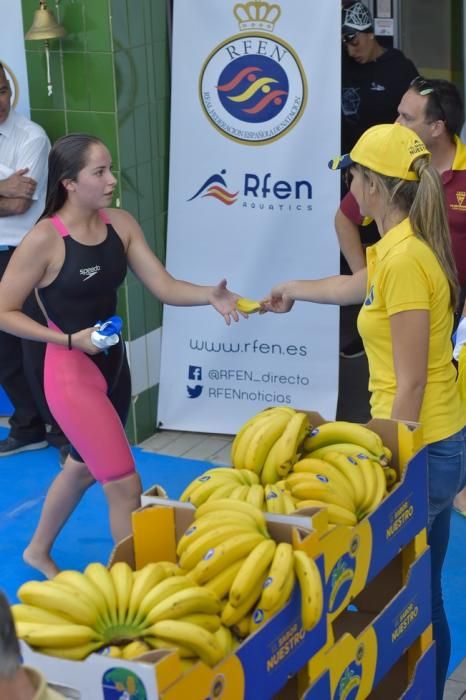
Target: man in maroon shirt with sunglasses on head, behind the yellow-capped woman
<point>434,110</point>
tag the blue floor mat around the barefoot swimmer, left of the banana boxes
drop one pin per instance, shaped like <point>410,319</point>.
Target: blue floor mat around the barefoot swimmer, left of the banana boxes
<point>24,480</point>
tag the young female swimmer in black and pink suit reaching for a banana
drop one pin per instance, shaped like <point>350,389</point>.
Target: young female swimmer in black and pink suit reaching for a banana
<point>76,257</point>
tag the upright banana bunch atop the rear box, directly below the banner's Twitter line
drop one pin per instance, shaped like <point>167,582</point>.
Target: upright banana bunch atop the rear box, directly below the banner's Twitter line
<point>269,443</point>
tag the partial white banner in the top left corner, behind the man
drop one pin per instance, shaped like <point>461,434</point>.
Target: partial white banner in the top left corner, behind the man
<point>13,55</point>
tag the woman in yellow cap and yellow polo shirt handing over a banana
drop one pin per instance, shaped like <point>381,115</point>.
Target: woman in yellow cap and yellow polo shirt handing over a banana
<point>408,293</point>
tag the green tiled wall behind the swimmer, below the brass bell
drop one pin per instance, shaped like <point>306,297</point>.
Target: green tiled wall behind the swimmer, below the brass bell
<point>110,78</point>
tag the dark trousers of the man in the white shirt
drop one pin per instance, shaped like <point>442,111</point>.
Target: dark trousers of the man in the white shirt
<point>21,375</point>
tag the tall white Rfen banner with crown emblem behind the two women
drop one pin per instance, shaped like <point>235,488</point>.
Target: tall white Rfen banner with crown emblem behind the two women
<point>255,120</point>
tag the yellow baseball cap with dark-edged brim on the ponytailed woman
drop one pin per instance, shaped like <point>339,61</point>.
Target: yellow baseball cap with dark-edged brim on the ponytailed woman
<point>388,149</point>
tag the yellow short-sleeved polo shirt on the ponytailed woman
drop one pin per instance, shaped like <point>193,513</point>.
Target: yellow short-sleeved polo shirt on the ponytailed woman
<point>403,274</point>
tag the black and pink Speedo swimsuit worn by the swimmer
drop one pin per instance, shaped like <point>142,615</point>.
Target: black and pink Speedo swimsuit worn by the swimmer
<point>89,395</point>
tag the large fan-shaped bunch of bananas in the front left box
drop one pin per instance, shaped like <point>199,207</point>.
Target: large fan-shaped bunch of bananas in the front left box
<point>121,611</point>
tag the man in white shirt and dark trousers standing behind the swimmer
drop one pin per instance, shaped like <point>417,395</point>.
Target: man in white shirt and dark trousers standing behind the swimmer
<point>24,149</point>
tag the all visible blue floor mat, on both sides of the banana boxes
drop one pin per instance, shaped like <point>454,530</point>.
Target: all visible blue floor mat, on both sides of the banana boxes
<point>24,480</point>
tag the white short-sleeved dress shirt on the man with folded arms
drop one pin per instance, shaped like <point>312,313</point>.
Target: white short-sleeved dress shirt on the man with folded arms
<point>23,144</point>
